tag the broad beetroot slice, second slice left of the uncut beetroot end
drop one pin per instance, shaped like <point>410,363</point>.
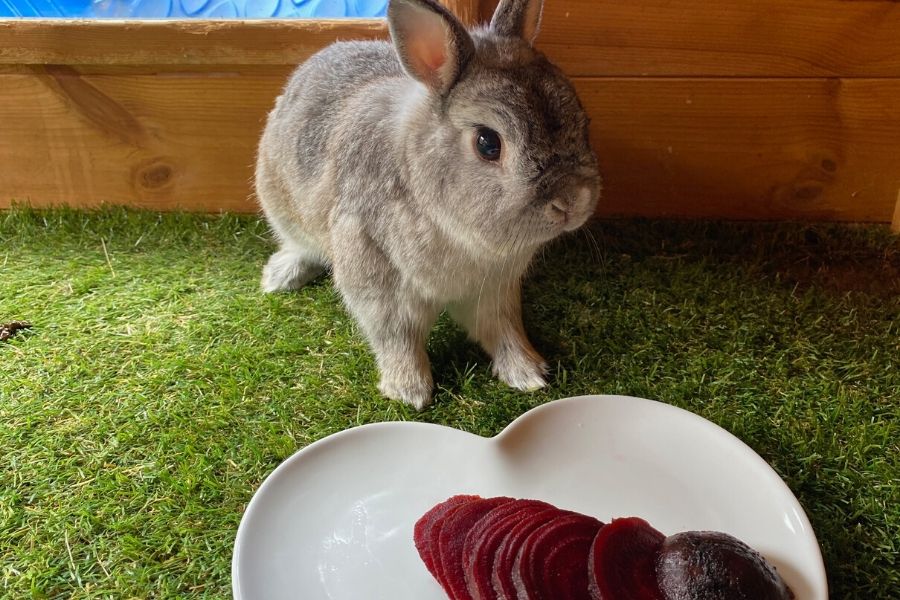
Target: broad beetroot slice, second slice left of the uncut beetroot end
<point>552,561</point>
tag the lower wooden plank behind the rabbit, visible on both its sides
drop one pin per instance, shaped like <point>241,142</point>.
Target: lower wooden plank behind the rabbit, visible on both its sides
<point>747,149</point>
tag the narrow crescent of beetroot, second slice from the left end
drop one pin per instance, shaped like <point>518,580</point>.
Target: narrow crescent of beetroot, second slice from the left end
<point>451,538</point>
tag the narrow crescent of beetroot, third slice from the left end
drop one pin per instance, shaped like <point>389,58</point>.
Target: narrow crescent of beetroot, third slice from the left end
<point>485,538</point>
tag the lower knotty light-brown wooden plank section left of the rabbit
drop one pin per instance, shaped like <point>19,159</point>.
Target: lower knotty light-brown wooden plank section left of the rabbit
<point>153,141</point>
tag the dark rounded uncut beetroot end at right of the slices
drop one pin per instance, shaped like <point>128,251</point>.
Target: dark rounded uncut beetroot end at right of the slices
<point>708,565</point>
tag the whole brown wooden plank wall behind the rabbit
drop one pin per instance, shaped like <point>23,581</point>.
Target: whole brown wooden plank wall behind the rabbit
<point>772,109</point>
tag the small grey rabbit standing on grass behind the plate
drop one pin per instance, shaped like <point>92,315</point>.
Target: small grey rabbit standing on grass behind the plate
<point>425,174</point>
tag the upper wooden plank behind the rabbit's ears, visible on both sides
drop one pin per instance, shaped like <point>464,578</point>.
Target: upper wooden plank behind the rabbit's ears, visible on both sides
<point>763,38</point>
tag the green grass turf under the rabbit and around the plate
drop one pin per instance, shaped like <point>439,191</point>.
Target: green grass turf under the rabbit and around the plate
<point>158,387</point>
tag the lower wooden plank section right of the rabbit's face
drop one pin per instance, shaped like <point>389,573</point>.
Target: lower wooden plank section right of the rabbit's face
<point>823,149</point>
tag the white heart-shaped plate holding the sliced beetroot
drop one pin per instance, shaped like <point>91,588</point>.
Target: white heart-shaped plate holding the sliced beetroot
<point>335,520</point>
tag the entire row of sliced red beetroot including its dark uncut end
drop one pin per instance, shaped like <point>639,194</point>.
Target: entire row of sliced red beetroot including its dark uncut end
<point>504,549</point>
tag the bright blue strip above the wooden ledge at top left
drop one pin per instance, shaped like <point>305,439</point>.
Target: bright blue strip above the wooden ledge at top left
<point>181,9</point>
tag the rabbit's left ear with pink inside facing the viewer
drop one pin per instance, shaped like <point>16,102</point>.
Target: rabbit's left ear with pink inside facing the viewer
<point>433,46</point>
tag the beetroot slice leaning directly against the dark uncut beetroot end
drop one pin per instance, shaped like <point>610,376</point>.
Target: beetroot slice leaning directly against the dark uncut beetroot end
<point>622,564</point>
